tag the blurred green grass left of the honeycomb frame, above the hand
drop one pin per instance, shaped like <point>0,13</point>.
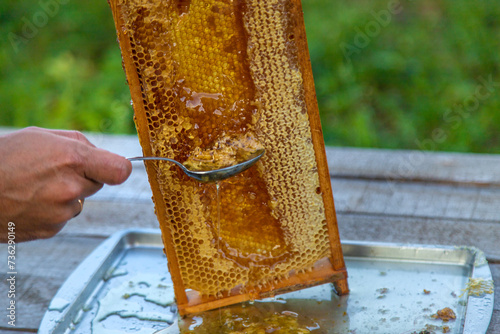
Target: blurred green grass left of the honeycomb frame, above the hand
<point>68,75</point>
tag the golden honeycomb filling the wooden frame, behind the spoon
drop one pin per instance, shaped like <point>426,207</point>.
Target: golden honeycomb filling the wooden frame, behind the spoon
<point>213,74</point>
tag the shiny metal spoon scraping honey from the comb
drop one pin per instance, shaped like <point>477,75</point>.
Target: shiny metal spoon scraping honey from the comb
<point>211,175</point>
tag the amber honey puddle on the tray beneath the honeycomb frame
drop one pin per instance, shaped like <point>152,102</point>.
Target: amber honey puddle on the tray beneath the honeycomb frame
<point>306,311</point>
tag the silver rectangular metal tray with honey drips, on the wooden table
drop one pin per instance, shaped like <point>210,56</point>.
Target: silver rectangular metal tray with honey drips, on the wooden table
<point>124,286</point>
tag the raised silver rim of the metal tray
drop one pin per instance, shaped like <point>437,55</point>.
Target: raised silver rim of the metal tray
<point>74,290</point>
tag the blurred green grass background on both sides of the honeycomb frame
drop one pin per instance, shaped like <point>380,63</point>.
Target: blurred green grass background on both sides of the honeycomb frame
<point>413,74</point>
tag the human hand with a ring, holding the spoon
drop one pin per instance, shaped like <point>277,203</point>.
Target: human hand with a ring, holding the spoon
<point>43,175</point>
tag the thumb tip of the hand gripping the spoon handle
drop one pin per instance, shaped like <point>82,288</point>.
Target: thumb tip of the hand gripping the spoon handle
<point>106,167</point>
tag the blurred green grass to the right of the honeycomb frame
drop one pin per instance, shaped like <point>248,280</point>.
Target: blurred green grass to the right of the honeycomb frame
<point>402,80</point>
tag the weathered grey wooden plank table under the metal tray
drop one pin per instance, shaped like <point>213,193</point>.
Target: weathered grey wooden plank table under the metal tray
<point>380,195</point>
